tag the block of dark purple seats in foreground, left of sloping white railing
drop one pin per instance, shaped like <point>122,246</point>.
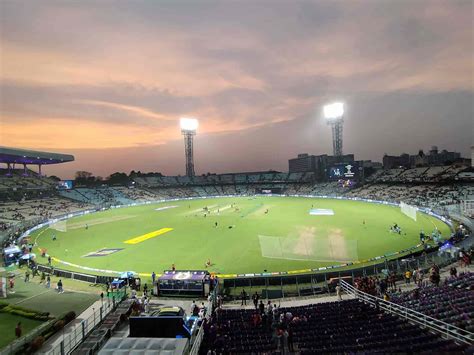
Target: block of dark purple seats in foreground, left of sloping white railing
<point>338,327</point>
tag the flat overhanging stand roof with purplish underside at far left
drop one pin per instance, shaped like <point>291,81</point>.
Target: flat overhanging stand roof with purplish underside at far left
<point>23,156</point>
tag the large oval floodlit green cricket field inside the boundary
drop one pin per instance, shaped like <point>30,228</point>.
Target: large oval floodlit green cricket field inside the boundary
<point>285,238</point>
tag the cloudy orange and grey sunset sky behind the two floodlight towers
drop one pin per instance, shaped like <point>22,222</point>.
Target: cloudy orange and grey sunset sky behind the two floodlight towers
<point>108,81</point>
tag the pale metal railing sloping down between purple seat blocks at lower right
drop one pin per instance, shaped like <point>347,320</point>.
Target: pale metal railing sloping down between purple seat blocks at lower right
<point>445,329</point>
